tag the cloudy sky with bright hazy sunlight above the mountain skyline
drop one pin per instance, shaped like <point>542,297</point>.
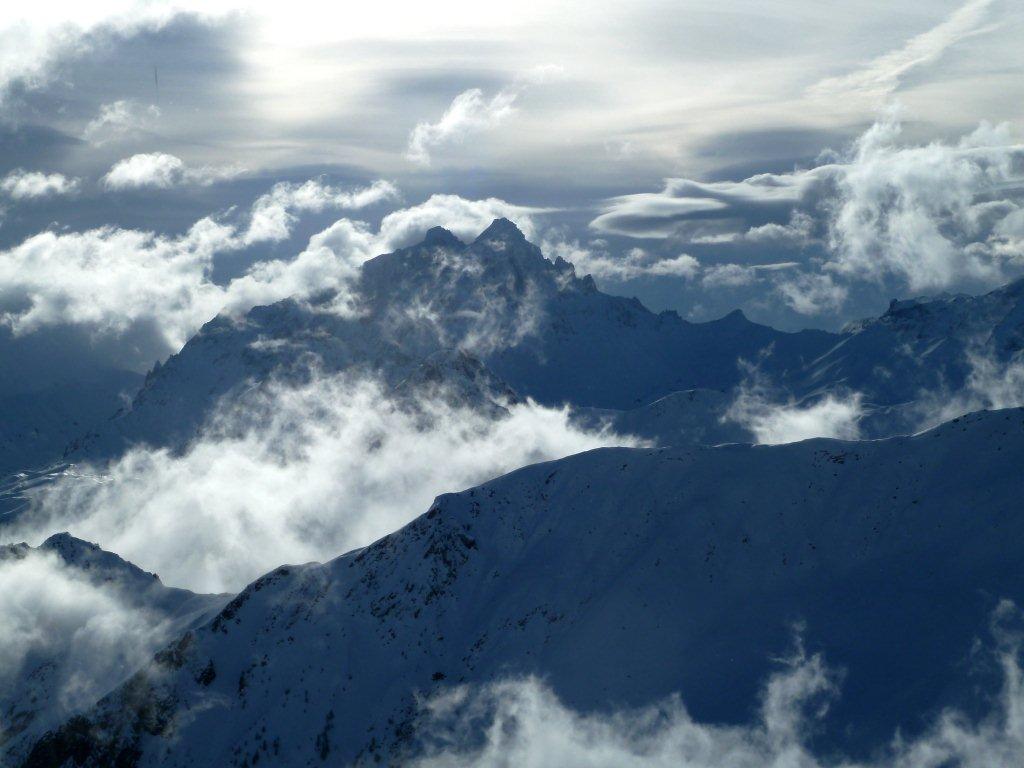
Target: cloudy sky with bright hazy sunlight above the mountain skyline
<point>806,162</point>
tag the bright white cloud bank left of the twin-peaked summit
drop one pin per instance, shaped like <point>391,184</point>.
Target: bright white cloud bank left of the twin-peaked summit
<point>114,281</point>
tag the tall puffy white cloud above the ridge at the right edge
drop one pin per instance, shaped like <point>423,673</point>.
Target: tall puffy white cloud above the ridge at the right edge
<point>914,212</point>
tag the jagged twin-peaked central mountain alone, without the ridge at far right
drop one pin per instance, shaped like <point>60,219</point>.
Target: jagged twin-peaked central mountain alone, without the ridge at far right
<point>539,330</point>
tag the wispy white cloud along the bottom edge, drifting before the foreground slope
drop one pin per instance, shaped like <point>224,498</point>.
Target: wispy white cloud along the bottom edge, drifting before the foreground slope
<point>524,722</point>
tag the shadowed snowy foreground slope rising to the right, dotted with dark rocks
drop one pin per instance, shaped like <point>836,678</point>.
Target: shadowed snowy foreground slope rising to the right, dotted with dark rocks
<point>621,576</point>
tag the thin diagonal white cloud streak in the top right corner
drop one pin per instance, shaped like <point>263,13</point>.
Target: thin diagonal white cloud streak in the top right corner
<point>884,75</point>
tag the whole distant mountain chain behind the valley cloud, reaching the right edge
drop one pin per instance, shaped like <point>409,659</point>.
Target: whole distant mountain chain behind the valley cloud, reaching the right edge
<point>535,329</point>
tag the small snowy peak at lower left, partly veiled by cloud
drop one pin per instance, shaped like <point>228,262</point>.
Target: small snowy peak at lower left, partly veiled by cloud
<point>127,615</point>
